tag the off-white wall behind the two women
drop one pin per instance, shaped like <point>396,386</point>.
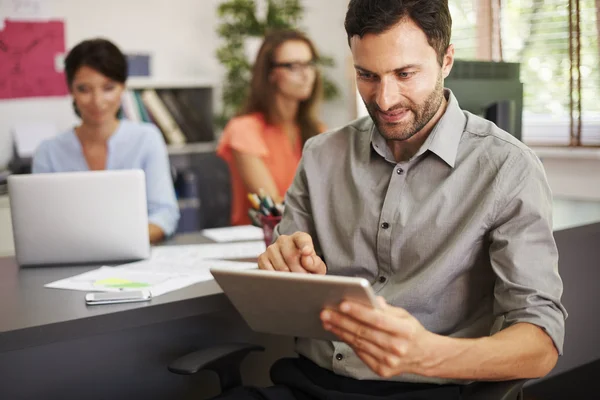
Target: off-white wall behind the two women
<point>180,34</point>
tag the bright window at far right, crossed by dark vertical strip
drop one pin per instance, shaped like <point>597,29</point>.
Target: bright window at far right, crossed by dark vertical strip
<point>535,33</point>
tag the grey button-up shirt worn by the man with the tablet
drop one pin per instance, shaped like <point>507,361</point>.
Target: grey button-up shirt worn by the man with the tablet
<point>460,235</point>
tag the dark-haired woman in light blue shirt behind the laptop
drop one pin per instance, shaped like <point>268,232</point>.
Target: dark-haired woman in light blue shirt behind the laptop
<point>96,72</point>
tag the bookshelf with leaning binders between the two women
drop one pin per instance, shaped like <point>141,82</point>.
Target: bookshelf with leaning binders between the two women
<point>182,109</point>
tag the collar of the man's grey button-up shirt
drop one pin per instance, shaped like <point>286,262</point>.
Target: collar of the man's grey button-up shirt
<point>443,139</point>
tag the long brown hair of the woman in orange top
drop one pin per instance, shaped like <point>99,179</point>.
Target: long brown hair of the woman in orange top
<point>261,98</point>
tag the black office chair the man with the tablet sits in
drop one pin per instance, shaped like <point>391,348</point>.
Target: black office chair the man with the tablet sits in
<point>225,360</point>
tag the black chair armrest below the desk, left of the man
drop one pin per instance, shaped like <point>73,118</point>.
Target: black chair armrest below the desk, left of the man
<point>224,359</point>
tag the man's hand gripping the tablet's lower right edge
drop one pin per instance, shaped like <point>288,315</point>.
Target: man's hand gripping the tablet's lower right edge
<point>389,340</point>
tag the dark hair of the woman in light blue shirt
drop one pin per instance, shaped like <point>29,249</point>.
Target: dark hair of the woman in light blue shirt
<point>100,55</point>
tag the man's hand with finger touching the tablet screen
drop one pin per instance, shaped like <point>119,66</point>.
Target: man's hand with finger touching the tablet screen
<point>294,253</point>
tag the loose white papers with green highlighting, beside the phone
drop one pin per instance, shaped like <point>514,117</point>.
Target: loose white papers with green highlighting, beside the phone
<point>160,277</point>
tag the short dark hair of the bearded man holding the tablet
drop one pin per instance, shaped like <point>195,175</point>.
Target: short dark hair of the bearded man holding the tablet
<point>377,16</point>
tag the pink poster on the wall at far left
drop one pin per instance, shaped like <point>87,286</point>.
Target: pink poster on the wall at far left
<point>28,59</point>
